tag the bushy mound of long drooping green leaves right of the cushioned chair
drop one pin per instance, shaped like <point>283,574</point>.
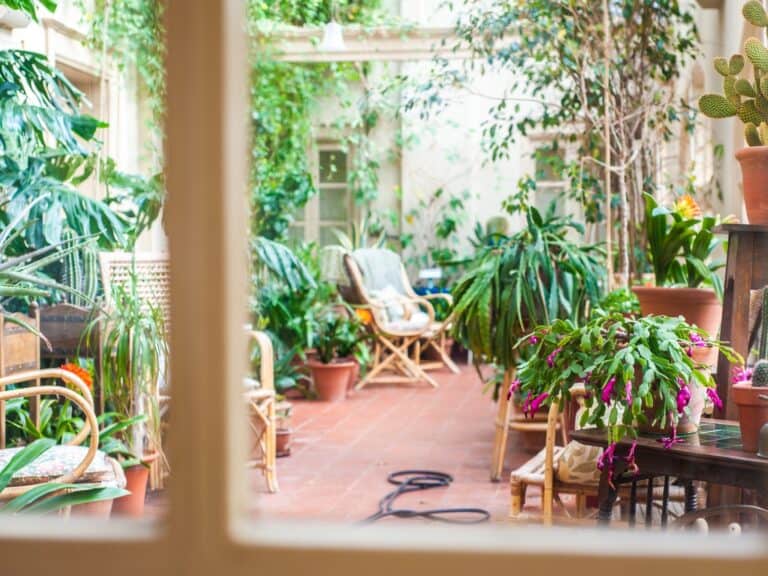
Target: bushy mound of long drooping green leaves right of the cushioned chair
<point>515,283</point>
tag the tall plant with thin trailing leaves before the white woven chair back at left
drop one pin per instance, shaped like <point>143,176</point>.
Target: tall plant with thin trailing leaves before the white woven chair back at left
<point>134,361</point>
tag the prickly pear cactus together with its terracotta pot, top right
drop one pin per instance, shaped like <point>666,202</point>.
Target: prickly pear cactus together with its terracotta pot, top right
<point>747,98</point>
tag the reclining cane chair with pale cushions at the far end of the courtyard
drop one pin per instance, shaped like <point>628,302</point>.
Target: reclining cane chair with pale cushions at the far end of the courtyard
<point>402,322</point>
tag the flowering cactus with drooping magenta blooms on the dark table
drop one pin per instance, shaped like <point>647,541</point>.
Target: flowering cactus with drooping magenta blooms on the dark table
<point>640,373</point>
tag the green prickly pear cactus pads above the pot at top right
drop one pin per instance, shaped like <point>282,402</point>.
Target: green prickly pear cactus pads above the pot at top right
<point>744,97</point>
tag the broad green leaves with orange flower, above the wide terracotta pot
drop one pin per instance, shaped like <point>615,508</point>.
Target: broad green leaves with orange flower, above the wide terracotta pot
<point>681,245</point>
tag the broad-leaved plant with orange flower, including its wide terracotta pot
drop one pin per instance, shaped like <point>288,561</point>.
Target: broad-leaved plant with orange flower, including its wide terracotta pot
<point>681,243</point>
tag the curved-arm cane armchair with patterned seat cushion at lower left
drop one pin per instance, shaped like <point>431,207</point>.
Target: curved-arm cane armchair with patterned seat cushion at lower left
<point>63,463</point>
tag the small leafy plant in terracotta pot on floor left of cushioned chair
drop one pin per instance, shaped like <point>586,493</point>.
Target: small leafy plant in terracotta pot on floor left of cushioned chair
<point>330,371</point>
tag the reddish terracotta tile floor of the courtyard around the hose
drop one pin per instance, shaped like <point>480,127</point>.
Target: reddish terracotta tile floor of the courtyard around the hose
<point>342,452</point>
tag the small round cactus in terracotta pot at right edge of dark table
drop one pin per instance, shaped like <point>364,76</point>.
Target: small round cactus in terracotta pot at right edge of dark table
<point>750,389</point>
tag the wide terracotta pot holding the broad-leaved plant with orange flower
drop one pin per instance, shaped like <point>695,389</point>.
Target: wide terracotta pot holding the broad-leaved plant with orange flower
<point>699,306</point>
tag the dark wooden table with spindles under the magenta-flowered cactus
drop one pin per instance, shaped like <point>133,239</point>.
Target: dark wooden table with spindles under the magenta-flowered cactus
<point>712,455</point>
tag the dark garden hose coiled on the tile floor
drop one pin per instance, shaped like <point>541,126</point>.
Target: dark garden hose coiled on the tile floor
<point>415,480</point>
